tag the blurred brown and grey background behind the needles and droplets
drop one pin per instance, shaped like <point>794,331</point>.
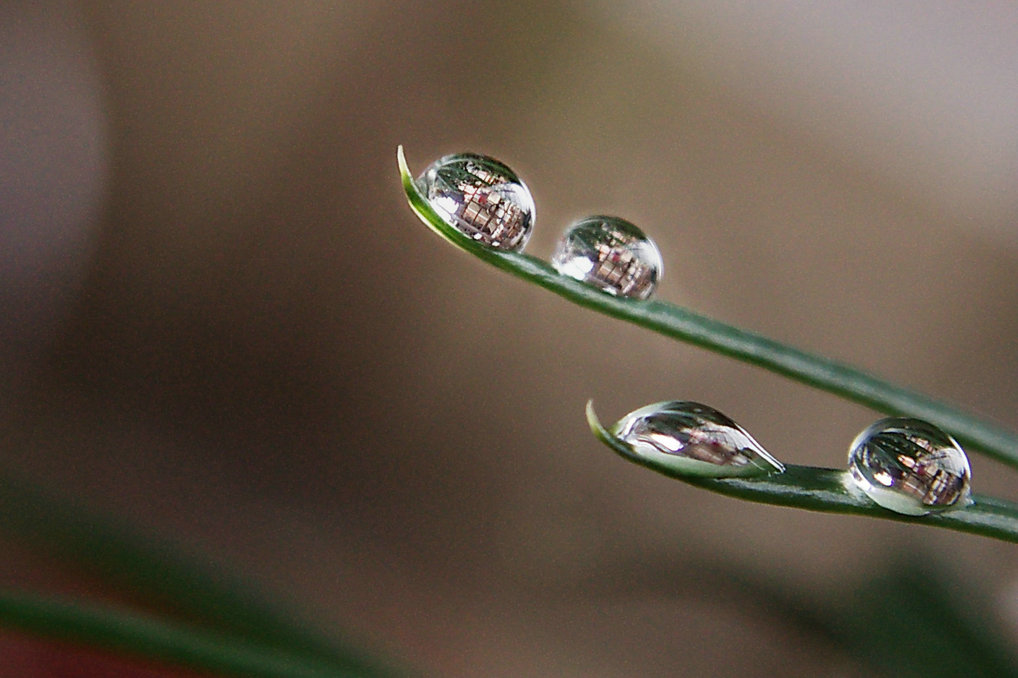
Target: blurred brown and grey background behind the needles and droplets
<point>221,322</point>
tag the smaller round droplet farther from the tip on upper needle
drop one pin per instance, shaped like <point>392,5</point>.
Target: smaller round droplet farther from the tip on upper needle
<point>611,254</point>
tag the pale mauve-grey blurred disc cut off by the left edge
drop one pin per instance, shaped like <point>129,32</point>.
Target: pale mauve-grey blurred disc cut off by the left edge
<point>53,172</point>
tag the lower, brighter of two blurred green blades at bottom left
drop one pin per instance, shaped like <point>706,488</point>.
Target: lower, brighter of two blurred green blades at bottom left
<point>123,633</point>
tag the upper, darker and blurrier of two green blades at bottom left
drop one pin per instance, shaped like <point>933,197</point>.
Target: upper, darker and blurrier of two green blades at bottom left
<point>166,575</point>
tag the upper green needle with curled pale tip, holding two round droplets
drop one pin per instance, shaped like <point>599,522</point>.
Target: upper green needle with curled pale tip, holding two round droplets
<point>842,380</point>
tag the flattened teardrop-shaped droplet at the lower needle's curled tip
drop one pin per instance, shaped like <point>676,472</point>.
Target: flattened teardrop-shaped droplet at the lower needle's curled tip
<point>694,440</point>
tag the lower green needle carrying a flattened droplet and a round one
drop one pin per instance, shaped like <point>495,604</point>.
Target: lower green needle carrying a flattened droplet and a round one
<point>827,490</point>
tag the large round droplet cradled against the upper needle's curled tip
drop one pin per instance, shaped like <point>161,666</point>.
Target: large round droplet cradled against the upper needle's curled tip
<point>481,198</point>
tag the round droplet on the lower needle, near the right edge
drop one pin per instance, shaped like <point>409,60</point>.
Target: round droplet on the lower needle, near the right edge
<point>911,467</point>
